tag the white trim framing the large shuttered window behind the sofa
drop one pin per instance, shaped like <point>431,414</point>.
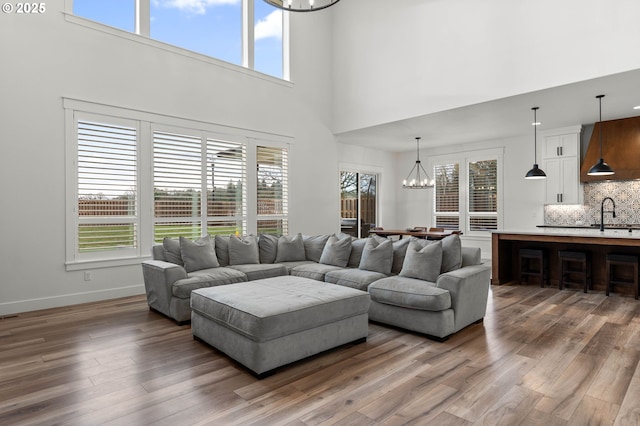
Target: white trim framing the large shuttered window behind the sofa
<point>148,122</point>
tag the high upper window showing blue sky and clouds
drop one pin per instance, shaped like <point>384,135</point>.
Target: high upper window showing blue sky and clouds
<point>216,28</point>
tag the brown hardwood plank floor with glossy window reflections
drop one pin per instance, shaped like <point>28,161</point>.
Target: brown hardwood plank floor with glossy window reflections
<point>543,356</point>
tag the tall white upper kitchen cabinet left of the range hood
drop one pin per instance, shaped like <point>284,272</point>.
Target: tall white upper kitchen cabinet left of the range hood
<point>561,163</point>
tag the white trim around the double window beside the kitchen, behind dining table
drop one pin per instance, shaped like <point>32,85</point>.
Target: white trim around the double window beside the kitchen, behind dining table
<point>464,158</point>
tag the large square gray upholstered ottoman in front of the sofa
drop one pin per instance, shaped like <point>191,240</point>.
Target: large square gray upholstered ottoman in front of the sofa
<point>268,323</point>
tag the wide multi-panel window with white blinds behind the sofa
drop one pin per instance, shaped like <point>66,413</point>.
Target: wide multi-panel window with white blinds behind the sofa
<point>136,177</point>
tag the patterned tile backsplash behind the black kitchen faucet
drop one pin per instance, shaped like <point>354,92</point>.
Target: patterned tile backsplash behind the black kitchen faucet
<point>626,194</point>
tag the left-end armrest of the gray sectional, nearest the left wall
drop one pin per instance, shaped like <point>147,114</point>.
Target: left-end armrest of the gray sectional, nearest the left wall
<point>159,277</point>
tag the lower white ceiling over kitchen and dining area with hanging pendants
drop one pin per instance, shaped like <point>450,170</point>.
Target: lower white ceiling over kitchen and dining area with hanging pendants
<point>561,106</point>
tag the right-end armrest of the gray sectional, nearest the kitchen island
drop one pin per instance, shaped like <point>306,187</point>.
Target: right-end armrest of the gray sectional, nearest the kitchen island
<point>469,289</point>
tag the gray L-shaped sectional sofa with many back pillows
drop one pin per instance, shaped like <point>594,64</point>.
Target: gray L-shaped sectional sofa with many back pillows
<point>432,287</point>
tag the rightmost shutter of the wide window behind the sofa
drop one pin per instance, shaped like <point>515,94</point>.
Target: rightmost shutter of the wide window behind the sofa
<point>272,189</point>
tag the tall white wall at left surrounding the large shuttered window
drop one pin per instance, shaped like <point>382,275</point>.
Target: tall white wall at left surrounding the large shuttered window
<point>45,58</point>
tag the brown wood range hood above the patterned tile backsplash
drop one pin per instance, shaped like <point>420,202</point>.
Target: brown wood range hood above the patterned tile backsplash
<point>620,149</point>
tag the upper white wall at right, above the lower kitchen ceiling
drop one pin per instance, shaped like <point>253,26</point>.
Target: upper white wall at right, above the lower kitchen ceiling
<point>407,58</point>
